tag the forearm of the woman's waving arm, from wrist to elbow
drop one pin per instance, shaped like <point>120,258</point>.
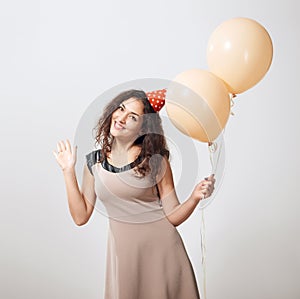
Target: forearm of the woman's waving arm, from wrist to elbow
<point>77,205</point>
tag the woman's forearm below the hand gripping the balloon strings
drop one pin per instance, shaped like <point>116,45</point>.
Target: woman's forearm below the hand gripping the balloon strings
<point>183,211</point>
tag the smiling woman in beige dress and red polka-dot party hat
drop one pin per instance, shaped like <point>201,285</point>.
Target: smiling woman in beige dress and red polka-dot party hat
<point>131,175</point>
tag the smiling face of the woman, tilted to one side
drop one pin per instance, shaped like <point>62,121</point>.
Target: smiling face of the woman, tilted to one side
<point>127,120</point>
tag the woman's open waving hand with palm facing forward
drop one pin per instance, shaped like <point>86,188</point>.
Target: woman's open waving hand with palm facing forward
<point>65,155</point>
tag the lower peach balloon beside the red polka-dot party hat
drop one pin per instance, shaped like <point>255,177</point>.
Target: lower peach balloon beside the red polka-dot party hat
<point>198,104</point>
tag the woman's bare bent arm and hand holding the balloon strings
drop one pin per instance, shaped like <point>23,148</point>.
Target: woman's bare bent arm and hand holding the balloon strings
<point>178,212</point>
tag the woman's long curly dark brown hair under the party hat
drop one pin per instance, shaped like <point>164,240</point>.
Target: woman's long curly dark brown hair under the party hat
<point>151,138</point>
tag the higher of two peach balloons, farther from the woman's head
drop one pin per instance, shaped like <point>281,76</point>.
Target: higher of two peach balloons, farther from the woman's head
<point>240,52</point>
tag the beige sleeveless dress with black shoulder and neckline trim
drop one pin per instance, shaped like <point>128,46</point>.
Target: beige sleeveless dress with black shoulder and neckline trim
<point>146,257</point>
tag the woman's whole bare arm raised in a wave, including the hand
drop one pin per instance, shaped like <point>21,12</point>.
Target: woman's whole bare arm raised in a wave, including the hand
<point>81,203</point>
